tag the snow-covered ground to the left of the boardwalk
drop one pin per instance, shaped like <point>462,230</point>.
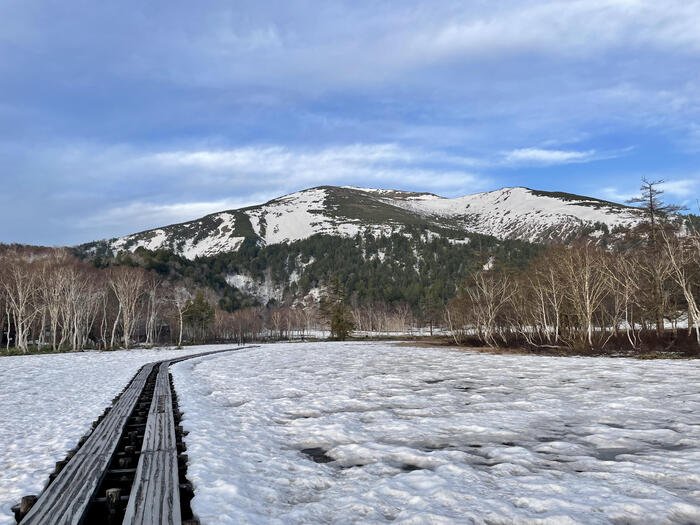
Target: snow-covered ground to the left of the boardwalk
<point>47,402</point>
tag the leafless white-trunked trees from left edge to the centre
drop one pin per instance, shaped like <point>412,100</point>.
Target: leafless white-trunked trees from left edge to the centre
<point>53,300</point>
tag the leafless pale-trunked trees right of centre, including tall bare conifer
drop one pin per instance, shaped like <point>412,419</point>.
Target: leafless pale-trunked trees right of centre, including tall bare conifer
<point>636,296</point>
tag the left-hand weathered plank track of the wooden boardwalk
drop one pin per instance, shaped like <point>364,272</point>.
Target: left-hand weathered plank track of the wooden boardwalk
<point>66,499</point>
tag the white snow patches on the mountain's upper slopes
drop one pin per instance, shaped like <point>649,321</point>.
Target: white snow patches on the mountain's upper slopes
<point>514,213</point>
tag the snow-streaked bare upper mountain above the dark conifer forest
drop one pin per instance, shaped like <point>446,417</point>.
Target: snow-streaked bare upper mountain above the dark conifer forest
<point>508,213</point>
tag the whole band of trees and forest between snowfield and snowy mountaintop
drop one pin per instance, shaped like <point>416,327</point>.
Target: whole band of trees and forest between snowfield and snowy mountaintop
<point>641,293</point>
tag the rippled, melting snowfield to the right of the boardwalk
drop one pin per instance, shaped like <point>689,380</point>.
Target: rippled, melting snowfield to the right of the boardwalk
<point>439,436</point>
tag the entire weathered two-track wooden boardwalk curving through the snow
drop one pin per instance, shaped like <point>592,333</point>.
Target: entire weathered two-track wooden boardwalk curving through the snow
<point>154,496</point>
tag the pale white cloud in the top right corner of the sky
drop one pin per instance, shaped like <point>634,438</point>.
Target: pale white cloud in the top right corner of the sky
<point>563,27</point>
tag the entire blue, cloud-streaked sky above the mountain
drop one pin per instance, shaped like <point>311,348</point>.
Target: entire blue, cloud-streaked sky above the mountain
<point>117,117</point>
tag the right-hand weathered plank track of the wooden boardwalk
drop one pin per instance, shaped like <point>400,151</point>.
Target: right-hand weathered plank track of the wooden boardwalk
<point>155,494</point>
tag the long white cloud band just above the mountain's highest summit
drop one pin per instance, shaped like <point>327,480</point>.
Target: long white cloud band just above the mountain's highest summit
<point>378,164</point>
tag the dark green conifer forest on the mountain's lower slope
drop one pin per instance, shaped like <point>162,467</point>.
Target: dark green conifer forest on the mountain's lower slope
<point>416,269</point>
